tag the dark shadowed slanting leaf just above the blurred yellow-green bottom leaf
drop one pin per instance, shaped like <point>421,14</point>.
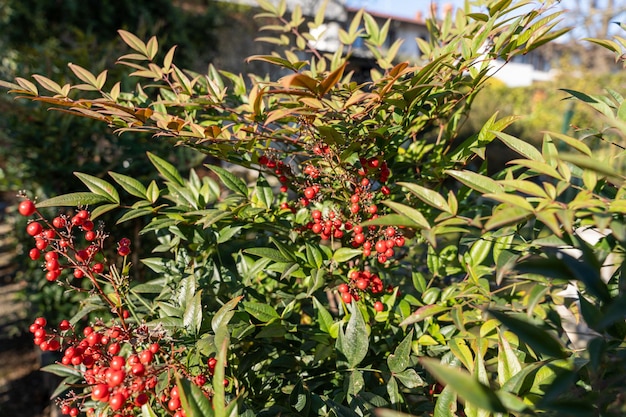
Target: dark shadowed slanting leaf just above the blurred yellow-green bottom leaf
<point>538,339</point>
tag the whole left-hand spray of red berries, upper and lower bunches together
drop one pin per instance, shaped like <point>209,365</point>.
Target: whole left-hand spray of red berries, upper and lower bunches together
<point>122,363</point>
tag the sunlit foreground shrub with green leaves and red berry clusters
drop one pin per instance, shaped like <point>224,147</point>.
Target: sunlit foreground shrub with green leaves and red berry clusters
<point>367,268</point>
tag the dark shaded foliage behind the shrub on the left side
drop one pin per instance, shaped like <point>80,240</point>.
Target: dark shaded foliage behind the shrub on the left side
<point>39,149</point>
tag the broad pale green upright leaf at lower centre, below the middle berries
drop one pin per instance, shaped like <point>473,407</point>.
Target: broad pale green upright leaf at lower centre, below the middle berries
<point>354,343</point>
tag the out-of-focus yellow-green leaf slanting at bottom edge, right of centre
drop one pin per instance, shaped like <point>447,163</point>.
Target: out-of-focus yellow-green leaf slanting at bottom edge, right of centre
<point>466,386</point>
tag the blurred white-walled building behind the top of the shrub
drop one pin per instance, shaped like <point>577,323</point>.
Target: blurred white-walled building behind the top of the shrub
<point>237,42</point>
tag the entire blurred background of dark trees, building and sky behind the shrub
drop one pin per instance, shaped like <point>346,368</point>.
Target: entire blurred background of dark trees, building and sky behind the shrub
<point>40,149</point>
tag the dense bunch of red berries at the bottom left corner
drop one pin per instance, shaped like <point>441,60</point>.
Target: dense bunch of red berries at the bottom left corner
<point>120,372</point>
